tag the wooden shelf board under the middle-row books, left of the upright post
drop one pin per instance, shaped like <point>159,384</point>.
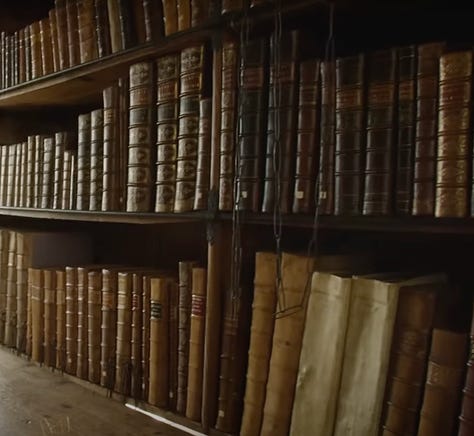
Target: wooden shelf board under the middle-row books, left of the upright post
<point>104,217</point>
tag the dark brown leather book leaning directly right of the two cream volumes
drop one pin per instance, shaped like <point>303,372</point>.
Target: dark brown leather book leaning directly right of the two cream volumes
<point>409,355</point>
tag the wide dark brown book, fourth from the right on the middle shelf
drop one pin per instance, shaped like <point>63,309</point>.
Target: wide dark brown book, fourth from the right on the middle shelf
<point>379,167</point>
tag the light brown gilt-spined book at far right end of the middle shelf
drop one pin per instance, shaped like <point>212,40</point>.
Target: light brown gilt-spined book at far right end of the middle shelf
<point>454,124</point>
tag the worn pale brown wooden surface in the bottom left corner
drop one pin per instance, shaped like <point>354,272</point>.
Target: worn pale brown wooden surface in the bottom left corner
<point>35,401</point>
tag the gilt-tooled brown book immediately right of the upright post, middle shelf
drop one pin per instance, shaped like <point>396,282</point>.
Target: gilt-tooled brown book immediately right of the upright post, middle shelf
<point>228,124</point>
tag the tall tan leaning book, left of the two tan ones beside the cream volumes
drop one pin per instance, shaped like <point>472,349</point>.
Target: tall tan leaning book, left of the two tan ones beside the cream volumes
<point>261,335</point>
